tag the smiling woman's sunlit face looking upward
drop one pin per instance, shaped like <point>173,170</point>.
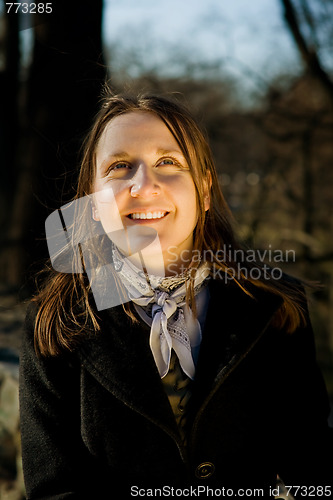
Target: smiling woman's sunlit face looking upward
<point>140,160</point>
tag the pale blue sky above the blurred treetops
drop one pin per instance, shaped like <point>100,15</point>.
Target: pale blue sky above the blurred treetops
<point>240,34</point>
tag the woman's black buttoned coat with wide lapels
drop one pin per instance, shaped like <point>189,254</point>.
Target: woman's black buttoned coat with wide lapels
<point>98,420</point>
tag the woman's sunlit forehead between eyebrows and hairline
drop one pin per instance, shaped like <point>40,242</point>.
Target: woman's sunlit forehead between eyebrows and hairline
<point>135,129</point>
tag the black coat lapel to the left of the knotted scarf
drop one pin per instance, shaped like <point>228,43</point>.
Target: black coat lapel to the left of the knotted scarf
<point>120,358</point>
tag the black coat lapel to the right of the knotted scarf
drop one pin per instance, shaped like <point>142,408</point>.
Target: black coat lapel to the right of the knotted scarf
<point>234,323</point>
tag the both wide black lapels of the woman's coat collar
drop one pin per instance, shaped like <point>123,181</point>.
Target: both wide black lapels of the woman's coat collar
<point>119,356</point>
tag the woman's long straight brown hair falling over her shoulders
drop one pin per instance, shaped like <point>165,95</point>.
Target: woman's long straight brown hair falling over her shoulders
<point>65,308</point>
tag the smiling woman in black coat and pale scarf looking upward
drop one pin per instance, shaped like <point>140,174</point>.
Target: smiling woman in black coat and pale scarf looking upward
<point>197,373</point>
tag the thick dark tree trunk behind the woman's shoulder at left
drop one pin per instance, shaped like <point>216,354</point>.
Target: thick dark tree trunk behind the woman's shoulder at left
<point>61,95</point>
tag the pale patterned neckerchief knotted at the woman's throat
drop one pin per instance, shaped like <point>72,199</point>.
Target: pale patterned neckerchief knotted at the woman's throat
<point>164,310</point>
